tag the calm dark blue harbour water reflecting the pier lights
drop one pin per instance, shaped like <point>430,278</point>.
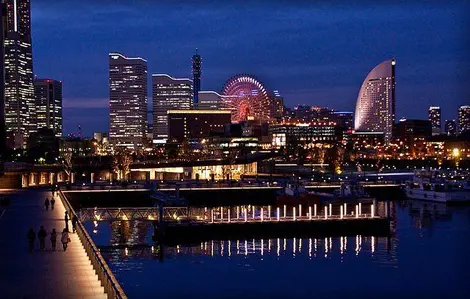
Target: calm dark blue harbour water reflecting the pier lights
<point>427,256</point>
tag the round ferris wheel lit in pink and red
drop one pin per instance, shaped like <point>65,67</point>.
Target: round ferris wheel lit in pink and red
<point>247,98</point>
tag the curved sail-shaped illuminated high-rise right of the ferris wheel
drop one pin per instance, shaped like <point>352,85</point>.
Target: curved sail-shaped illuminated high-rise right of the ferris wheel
<point>375,108</point>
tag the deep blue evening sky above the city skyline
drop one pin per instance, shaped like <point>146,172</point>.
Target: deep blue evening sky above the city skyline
<point>313,52</point>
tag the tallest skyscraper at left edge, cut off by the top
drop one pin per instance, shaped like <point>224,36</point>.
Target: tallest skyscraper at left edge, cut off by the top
<point>19,90</point>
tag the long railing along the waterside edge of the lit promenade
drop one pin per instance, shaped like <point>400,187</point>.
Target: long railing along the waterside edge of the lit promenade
<point>105,275</point>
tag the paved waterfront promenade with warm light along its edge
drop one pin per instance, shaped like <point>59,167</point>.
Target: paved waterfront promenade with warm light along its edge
<point>40,274</point>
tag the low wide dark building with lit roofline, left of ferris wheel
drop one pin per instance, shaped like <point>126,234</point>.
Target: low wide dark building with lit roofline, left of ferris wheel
<point>196,124</point>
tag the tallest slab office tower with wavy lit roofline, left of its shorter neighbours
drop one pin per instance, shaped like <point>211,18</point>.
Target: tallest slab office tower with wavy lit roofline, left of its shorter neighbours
<point>127,100</point>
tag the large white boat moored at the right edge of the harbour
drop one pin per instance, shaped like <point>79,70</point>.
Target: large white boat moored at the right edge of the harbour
<point>427,186</point>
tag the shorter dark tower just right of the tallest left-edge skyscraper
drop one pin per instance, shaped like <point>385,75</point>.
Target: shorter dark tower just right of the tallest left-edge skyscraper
<point>48,95</point>
